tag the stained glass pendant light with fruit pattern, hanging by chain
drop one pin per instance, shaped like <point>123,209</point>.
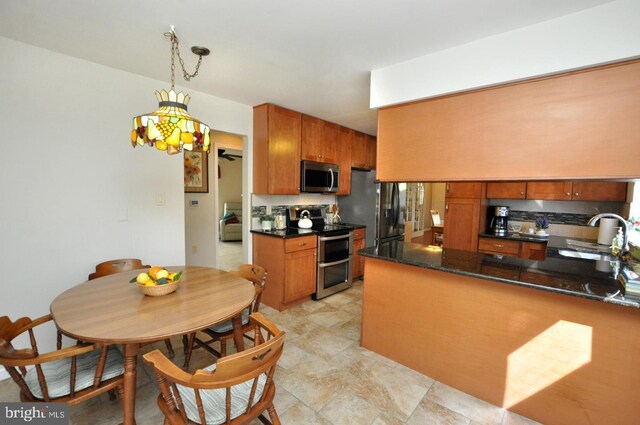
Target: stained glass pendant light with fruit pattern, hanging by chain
<point>170,128</point>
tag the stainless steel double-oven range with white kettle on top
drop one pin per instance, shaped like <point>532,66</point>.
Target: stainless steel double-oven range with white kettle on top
<point>335,250</point>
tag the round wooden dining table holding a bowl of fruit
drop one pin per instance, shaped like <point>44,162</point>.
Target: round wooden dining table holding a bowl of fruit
<point>110,310</point>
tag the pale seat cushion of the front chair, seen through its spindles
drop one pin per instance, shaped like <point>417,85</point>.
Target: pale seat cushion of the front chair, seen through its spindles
<point>213,401</point>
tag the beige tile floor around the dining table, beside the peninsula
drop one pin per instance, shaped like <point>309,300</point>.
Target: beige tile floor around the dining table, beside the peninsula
<point>323,377</point>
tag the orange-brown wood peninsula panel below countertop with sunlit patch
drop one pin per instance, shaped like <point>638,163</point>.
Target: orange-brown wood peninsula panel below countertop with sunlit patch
<point>553,358</point>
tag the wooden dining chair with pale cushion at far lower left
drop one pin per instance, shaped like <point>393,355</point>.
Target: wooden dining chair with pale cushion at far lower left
<point>72,374</point>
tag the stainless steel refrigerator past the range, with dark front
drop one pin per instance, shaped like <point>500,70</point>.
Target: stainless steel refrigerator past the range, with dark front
<point>379,206</point>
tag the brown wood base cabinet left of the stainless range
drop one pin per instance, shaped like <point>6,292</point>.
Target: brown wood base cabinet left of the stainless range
<point>291,264</point>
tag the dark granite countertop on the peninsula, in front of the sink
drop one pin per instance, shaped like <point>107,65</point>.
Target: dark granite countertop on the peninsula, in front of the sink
<point>595,280</point>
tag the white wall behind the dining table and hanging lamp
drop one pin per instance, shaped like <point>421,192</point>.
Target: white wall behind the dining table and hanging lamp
<point>73,190</point>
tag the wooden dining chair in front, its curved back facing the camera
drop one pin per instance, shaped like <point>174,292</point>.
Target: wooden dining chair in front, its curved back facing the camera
<point>235,390</point>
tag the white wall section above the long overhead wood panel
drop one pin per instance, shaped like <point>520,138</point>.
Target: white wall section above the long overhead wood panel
<point>601,34</point>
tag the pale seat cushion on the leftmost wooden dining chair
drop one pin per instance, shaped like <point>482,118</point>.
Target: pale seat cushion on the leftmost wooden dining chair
<point>57,373</point>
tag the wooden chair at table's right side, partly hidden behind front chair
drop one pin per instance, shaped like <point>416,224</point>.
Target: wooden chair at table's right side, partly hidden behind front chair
<point>223,332</point>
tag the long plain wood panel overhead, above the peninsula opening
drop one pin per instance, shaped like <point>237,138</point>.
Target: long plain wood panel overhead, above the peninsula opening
<point>583,124</point>
